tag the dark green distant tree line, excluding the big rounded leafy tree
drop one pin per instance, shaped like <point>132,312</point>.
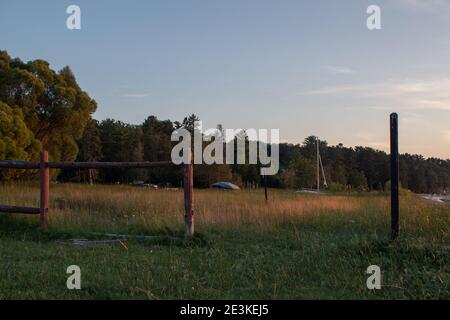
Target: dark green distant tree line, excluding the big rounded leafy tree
<point>345,168</point>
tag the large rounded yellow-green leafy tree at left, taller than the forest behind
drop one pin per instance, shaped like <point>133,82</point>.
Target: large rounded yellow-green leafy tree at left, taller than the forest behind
<point>54,108</point>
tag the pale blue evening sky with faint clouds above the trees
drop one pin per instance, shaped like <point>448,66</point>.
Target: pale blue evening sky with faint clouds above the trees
<point>305,67</point>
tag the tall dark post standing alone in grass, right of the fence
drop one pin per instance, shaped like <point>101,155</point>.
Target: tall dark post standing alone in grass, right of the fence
<point>394,177</point>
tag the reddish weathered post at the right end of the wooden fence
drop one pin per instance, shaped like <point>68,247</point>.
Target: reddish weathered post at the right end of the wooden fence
<point>189,197</point>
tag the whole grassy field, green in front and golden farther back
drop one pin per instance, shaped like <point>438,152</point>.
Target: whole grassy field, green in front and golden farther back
<point>296,247</point>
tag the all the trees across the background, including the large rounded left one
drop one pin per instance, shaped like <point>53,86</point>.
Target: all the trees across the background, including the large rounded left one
<point>41,108</point>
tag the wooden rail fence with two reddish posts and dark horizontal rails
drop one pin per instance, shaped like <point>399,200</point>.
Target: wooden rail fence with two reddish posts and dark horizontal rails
<point>44,166</point>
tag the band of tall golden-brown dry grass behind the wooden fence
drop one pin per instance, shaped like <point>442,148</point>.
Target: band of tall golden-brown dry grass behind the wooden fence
<point>117,207</point>
